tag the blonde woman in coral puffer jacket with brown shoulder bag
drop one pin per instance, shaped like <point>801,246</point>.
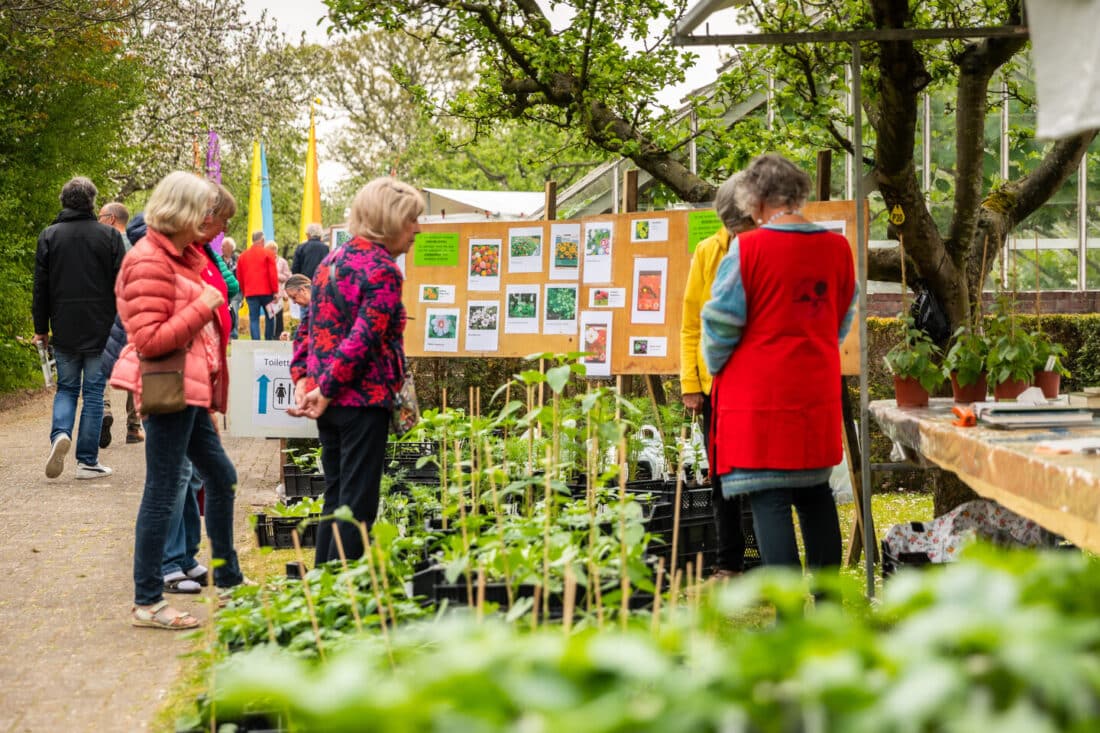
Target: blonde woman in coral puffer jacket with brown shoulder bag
<point>167,307</point>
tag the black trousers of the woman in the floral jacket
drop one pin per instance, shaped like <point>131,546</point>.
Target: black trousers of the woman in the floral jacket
<point>354,451</point>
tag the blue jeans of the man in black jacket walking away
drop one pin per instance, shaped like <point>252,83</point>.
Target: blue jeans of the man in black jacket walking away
<point>71,369</point>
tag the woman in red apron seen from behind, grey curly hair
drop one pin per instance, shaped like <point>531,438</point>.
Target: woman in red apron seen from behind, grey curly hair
<point>784,300</point>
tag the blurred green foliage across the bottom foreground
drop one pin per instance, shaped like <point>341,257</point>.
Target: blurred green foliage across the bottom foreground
<point>999,642</point>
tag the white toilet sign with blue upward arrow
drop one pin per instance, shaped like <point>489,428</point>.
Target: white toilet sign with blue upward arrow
<point>261,392</point>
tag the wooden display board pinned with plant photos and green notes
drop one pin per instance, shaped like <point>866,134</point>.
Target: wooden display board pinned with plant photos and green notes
<point>643,246</point>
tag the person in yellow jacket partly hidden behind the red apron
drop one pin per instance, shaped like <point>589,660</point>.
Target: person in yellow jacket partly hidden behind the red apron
<point>696,380</point>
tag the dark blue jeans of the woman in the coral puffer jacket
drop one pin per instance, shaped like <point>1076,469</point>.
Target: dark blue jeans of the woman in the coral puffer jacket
<point>170,440</point>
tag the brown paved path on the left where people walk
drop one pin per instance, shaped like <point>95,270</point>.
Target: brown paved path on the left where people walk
<point>72,660</point>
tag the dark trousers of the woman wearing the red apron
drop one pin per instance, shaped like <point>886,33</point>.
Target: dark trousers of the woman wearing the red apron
<point>775,529</point>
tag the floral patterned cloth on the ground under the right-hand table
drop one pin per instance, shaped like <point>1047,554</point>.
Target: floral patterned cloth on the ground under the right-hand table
<point>942,539</point>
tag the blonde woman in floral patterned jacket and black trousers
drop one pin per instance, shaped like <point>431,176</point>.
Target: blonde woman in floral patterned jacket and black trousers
<point>357,355</point>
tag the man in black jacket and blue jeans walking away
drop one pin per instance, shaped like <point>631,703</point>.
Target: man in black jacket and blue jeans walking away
<point>75,269</point>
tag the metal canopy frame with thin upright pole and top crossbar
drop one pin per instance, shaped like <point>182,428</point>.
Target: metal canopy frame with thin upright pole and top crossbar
<point>854,39</point>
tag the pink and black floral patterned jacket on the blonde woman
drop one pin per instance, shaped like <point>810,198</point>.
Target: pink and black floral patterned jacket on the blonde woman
<point>357,353</point>
